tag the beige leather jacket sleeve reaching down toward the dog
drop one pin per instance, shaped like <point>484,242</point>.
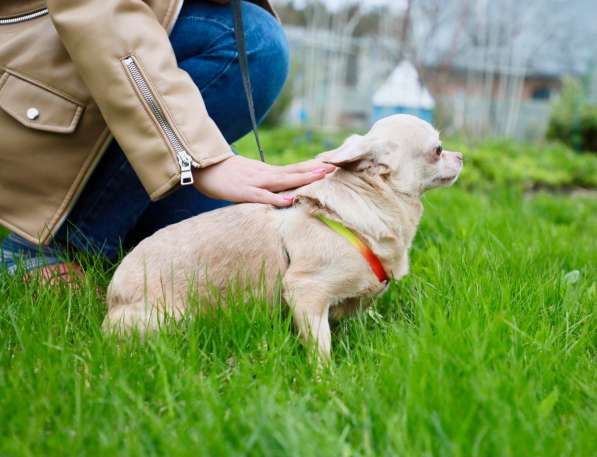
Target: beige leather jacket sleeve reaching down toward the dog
<point>153,108</point>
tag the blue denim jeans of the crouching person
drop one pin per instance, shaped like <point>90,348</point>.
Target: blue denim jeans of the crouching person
<point>114,211</point>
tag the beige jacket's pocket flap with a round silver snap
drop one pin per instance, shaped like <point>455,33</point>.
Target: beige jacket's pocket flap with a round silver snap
<point>37,106</point>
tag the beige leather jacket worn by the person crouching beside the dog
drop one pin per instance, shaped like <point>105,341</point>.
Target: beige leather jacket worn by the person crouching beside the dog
<point>74,73</point>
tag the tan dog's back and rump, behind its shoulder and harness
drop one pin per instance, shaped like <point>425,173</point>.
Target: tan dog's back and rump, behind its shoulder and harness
<point>199,253</point>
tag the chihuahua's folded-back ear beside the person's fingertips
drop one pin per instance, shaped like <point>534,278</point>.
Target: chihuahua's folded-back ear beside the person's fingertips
<point>360,153</point>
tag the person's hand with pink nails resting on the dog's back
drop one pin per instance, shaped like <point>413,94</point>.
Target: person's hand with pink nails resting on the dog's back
<point>239,179</point>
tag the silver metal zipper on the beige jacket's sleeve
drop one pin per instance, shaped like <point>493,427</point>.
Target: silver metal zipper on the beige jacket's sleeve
<point>185,161</point>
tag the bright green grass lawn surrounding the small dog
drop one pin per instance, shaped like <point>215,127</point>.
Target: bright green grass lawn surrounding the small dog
<point>488,347</point>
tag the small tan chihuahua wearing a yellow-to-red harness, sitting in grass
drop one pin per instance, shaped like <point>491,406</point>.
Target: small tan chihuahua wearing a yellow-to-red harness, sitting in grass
<point>332,248</point>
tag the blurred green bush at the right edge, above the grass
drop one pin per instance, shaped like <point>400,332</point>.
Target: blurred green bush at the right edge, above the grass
<point>573,121</point>
